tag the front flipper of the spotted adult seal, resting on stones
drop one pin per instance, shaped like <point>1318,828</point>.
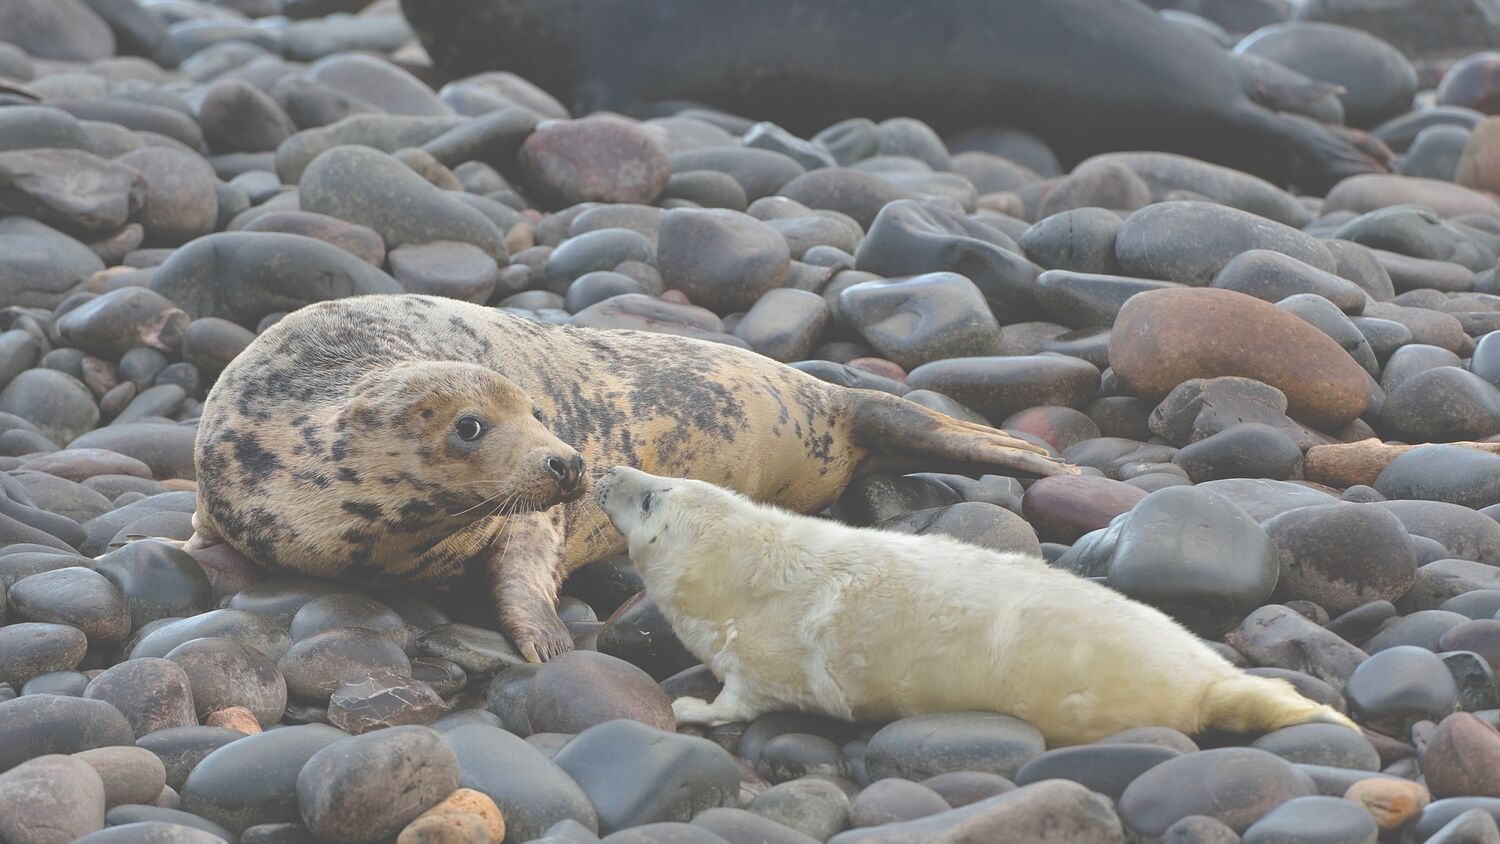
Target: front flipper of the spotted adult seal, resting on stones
<point>523,564</point>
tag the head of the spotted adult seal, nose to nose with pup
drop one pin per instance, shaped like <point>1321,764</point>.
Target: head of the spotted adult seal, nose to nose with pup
<point>469,428</point>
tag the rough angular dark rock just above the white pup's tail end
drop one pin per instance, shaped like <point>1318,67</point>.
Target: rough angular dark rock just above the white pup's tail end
<point>1277,636</point>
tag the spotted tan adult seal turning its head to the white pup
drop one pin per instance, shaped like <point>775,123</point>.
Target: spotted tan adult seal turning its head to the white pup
<point>410,440</point>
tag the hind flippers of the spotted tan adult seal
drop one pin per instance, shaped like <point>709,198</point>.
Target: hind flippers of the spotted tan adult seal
<point>904,434</point>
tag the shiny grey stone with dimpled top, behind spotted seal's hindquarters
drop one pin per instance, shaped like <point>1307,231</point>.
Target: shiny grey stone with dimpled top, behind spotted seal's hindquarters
<point>922,320</point>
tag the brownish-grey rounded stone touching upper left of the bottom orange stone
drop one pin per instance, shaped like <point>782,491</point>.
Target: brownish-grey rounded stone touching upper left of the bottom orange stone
<point>368,788</point>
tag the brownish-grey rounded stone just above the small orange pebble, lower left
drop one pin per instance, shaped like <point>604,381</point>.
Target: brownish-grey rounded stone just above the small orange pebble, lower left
<point>227,674</point>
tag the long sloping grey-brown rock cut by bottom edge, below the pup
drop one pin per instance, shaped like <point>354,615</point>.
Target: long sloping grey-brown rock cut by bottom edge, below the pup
<point>1043,813</point>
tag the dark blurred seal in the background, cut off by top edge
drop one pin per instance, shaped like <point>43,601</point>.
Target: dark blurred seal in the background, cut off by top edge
<point>1087,76</point>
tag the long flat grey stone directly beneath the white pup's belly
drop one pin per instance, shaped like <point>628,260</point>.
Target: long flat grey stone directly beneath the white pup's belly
<point>926,746</point>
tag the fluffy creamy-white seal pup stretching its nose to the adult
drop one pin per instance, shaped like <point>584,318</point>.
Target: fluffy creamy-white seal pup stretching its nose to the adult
<point>799,614</point>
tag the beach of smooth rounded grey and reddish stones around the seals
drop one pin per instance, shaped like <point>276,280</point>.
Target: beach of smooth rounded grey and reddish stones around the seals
<point>1285,410</point>
